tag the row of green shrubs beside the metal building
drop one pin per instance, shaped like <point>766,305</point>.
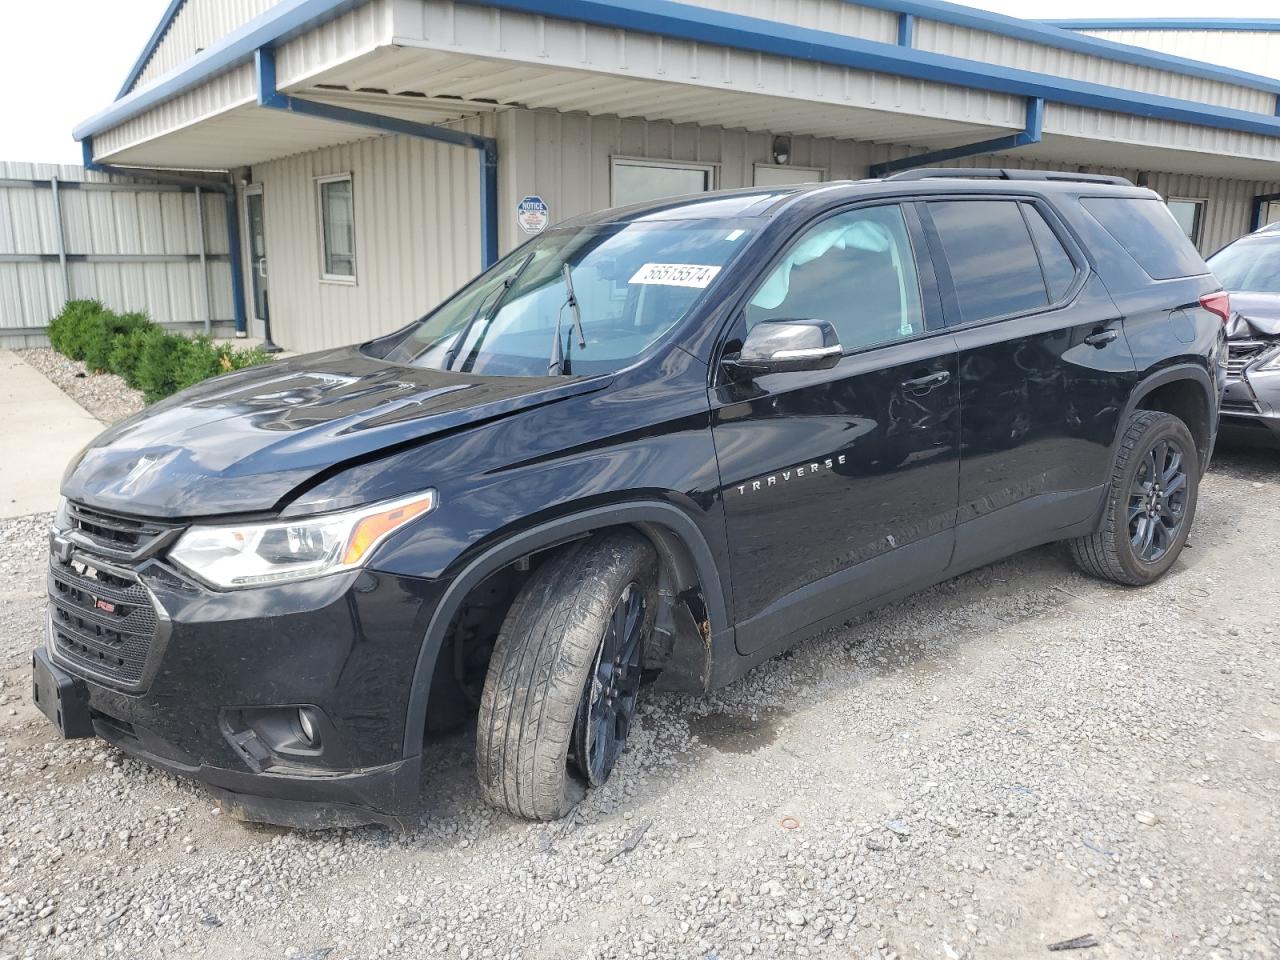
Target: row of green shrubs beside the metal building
<point>141,353</point>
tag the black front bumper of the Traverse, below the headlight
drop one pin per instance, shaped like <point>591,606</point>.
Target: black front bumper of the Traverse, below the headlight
<point>226,668</point>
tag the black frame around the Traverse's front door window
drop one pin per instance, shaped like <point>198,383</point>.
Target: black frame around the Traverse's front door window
<point>925,276</point>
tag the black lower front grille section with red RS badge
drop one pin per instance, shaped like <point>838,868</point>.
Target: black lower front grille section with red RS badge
<point>102,621</point>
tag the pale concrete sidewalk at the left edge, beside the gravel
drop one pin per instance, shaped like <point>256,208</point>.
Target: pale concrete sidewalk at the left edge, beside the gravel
<point>43,429</point>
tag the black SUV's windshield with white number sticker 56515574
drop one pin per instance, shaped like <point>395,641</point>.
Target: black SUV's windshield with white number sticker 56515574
<point>633,284</point>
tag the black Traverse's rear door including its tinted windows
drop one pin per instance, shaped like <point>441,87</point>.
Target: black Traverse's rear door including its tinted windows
<point>1045,372</point>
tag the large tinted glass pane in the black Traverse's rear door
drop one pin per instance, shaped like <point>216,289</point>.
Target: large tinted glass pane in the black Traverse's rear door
<point>993,262</point>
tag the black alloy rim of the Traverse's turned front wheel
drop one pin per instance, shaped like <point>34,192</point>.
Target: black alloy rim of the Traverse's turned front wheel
<point>611,692</point>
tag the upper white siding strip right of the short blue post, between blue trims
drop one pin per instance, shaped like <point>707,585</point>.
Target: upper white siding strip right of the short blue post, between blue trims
<point>1008,52</point>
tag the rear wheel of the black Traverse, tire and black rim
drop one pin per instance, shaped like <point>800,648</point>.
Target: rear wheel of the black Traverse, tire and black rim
<point>1122,550</point>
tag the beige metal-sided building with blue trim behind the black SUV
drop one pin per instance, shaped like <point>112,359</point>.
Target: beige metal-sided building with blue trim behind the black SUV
<point>381,153</point>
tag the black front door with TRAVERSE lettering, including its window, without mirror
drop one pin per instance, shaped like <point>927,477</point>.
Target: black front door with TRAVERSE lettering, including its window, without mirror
<point>840,486</point>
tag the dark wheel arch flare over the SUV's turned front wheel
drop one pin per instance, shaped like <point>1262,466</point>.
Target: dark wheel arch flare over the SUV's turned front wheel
<point>661,523</point>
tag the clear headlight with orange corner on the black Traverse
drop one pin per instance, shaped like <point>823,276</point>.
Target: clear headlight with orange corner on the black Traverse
<point>249,555</point>
